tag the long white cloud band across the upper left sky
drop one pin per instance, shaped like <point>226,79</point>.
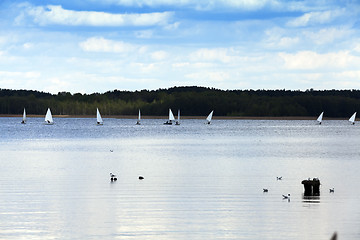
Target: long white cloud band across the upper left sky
<point>52,14</point>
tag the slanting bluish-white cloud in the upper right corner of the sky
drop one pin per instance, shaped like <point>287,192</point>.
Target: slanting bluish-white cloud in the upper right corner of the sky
<point>313,18</point>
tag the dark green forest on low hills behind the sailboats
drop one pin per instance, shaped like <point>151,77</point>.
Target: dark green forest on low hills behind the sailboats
<point>192,100</point>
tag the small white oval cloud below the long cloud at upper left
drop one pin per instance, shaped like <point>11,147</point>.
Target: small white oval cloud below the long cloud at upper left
<point>99,44</point>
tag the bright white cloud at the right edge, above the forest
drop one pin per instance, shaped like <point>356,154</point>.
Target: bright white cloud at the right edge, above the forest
<point>312,60</point>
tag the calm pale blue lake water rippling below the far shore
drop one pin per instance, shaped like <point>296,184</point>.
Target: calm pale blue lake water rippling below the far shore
<point>201,181</point>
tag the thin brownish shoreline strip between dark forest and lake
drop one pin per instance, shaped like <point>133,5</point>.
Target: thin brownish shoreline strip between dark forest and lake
<point>165,117</point>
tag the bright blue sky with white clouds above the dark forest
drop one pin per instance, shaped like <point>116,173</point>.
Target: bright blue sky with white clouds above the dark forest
<point>92,46</point>
